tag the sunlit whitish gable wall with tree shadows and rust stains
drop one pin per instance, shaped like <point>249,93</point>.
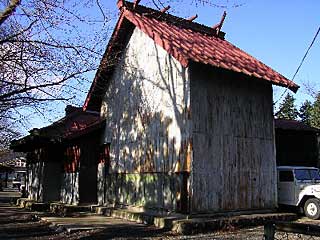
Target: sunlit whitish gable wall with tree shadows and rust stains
<point>147,112</point>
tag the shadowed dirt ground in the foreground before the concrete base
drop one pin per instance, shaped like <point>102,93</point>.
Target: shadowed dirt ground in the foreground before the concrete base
<point>16,223</point>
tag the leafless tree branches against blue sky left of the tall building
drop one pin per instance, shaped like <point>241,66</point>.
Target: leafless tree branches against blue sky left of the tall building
<point>46,48</point>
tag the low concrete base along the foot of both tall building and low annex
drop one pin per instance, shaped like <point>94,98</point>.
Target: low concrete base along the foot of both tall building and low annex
<point>179,223</point>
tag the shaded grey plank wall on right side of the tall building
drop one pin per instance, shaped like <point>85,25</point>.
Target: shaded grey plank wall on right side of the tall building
<point>233,164</point>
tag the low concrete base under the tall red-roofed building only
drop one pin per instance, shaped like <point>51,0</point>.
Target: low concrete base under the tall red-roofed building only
<point>193,224</point>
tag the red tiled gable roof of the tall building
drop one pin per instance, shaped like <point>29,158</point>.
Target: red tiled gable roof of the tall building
<point>187,41</point>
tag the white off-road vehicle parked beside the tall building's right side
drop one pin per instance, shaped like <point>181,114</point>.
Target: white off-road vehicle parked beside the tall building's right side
<point>300,187</point>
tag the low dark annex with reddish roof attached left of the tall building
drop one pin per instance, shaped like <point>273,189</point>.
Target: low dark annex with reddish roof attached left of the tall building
<point>62,158</point>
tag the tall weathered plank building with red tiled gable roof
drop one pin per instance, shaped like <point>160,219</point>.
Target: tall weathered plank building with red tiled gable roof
<point>189,117</point>
